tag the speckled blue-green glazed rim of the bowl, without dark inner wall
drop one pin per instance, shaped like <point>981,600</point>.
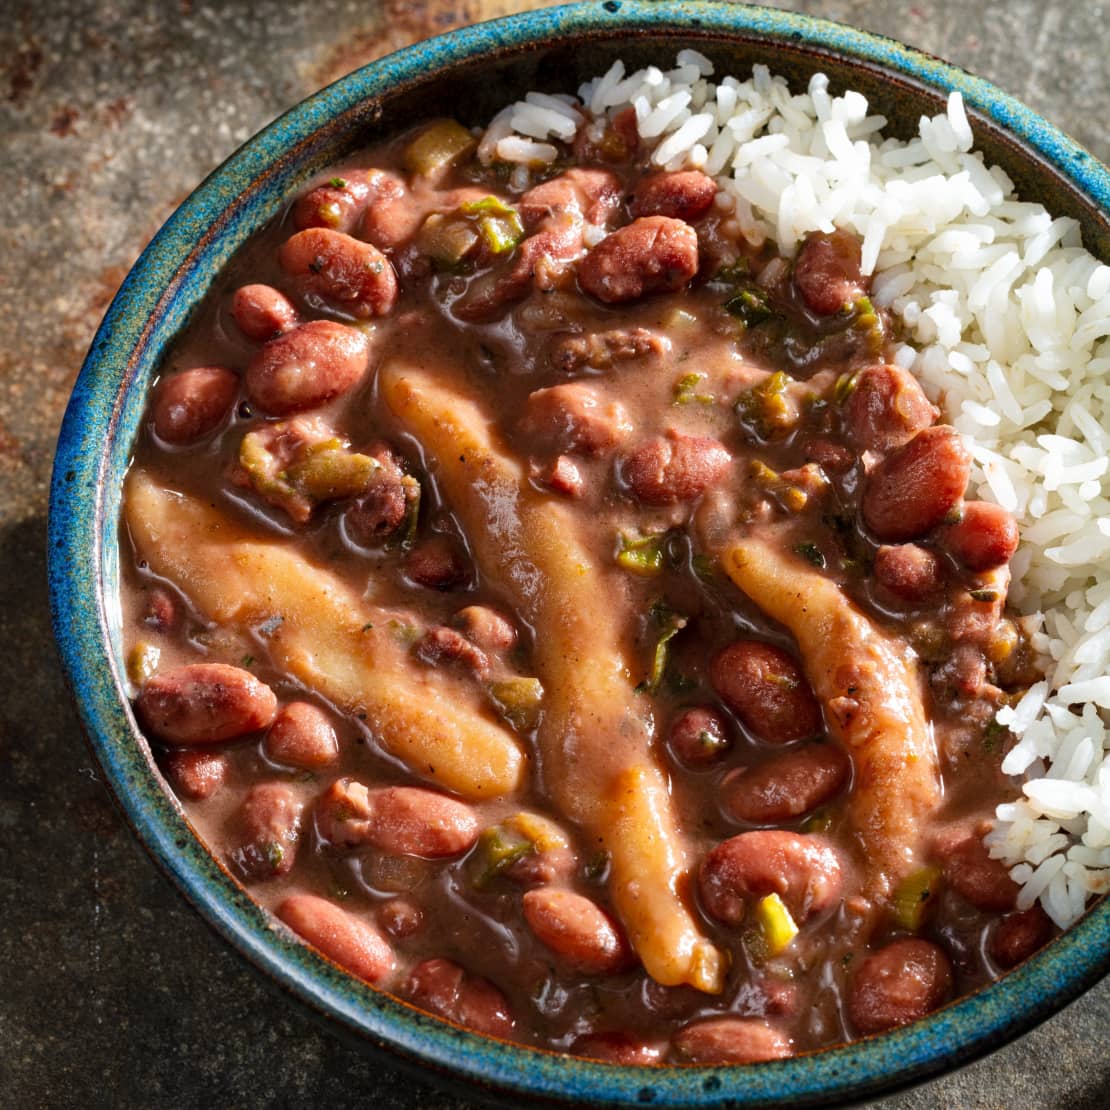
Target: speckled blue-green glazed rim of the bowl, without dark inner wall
<point>83,527</point>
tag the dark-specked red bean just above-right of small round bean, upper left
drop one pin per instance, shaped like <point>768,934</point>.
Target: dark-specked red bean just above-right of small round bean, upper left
<point>355,276</point>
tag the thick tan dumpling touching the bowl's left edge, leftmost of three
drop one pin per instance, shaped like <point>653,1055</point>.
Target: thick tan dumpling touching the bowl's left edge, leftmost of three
<point>325,634</point>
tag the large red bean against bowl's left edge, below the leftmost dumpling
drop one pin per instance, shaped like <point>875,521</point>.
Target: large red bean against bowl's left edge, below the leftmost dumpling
<point>205,703</point>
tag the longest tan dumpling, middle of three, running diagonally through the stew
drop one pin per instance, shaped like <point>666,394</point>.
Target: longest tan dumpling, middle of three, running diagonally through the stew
<point>596,734</point>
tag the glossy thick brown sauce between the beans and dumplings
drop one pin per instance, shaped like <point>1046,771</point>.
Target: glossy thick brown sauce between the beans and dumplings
<point>803,992</point>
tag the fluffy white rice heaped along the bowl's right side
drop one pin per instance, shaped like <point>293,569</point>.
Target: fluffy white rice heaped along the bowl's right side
<point>1008,327</point>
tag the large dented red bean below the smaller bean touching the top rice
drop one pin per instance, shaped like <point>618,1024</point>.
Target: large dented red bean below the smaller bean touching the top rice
<point>653,255</point>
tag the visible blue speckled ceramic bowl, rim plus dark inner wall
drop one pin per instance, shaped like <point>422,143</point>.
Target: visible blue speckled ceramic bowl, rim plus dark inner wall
<point>476,72</point>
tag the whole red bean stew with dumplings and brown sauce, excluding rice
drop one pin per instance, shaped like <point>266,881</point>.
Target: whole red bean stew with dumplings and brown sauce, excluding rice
<point>567,617</point>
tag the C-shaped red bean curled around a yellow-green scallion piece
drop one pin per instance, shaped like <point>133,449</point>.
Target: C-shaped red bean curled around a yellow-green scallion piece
<point>803,871</point>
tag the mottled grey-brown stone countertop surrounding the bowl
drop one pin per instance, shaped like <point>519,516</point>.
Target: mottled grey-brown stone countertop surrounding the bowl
<point>113,991</point>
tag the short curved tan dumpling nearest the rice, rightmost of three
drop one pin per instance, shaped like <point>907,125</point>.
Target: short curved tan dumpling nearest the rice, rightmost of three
<point>871,691</point>
